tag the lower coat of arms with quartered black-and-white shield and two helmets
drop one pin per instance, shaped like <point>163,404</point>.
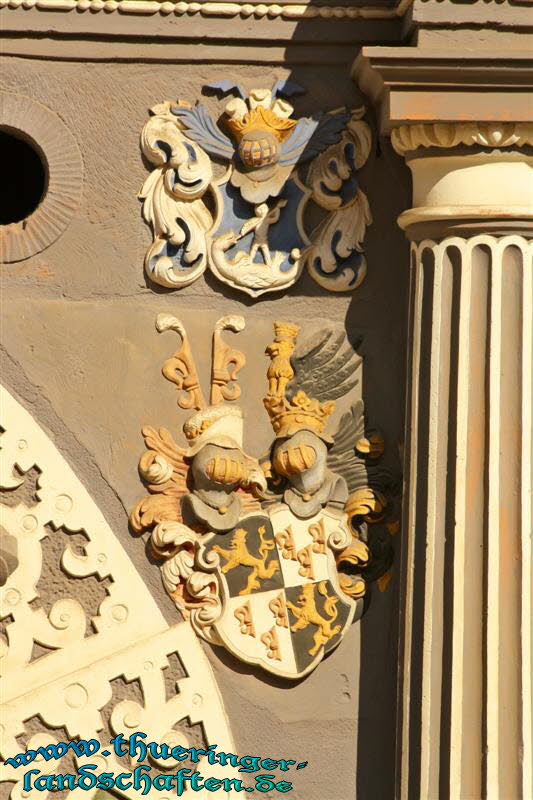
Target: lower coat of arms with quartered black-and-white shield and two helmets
<point>270,558</point>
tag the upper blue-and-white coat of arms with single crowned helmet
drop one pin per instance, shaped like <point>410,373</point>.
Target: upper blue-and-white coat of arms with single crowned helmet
<point>233,195</point>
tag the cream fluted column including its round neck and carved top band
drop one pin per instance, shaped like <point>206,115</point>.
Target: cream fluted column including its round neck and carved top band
<point>465,698</point>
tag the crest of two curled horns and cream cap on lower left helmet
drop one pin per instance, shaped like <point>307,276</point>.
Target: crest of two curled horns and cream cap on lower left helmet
<point>217,422</point>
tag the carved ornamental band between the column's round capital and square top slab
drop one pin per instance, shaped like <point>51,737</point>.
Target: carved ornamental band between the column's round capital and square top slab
<point>407,138</point>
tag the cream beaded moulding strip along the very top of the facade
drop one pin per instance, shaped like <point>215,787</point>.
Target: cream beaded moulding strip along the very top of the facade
<point>215,9</point>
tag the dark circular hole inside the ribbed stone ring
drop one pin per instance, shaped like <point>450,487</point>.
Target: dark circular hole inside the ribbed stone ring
<point>23,180</point>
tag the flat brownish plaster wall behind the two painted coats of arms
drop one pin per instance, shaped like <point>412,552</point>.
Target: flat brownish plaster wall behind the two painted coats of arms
<point>82,353</point>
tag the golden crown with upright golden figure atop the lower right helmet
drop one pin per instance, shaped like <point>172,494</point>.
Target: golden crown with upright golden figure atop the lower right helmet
<point>300,412</point>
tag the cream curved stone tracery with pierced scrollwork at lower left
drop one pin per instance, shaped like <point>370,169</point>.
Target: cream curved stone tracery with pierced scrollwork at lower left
<point>121,669</point>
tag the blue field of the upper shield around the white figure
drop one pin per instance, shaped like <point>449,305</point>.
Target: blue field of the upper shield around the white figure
<point>283,236</point>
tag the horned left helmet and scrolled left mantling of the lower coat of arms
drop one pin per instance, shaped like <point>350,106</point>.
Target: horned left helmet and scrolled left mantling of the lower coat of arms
<point>170,474</point>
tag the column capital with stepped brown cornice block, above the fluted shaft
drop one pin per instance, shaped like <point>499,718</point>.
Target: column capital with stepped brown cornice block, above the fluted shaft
<point>464,124</point>
